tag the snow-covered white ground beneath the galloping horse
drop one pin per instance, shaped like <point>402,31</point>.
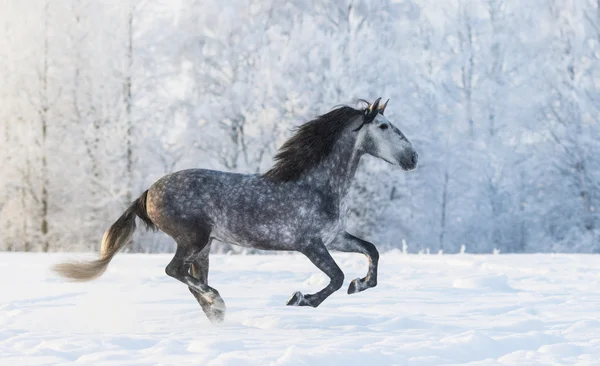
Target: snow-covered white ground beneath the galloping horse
<point>426,310</point>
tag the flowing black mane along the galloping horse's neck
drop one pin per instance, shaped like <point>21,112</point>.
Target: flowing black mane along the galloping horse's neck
<point>312,142</point>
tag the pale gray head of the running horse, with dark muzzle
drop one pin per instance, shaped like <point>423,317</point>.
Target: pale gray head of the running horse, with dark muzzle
<point>380,138</point>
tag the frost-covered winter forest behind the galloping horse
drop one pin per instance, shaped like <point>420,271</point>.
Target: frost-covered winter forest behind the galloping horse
<point>500,98</point>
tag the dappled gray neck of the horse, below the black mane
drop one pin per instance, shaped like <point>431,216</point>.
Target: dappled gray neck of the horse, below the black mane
<point>334,174</point>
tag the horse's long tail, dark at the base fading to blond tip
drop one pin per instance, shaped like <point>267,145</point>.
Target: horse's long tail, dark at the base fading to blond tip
<point>115,238</point>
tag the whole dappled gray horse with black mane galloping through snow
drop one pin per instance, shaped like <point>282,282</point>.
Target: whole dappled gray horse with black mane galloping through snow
<point>300,204</point>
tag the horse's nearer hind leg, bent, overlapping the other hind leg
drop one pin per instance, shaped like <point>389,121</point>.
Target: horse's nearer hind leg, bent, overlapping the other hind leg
<point>179,268</point>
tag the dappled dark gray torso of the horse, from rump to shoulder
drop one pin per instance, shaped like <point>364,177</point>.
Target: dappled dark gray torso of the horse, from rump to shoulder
<point>242,209</point>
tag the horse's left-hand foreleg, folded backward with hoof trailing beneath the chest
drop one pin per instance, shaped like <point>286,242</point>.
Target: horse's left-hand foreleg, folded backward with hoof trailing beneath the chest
<point>318,254</point>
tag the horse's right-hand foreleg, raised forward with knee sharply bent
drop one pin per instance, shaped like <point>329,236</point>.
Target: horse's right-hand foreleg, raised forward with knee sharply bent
<point>350,243</point>
